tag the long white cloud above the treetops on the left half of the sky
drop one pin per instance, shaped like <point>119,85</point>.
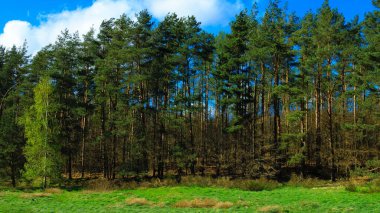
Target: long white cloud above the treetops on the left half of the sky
<point>209,12</point>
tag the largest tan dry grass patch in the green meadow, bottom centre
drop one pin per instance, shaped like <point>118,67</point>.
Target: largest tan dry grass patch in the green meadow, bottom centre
<point>203,203</point>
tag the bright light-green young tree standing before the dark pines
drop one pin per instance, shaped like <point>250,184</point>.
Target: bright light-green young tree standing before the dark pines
<point>41,151</point>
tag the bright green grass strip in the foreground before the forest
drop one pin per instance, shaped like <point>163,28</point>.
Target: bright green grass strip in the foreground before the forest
<point>163,199</point>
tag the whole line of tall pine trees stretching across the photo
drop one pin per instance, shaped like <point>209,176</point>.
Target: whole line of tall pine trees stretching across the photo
<point>277,94</point>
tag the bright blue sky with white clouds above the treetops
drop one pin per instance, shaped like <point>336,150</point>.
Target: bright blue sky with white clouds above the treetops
<point>39,22</point>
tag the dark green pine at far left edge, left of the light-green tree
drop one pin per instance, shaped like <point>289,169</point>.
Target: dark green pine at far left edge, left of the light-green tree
<point>13,68</point>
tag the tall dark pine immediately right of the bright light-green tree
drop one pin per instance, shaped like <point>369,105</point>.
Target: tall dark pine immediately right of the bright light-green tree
<point>64,70</point>
